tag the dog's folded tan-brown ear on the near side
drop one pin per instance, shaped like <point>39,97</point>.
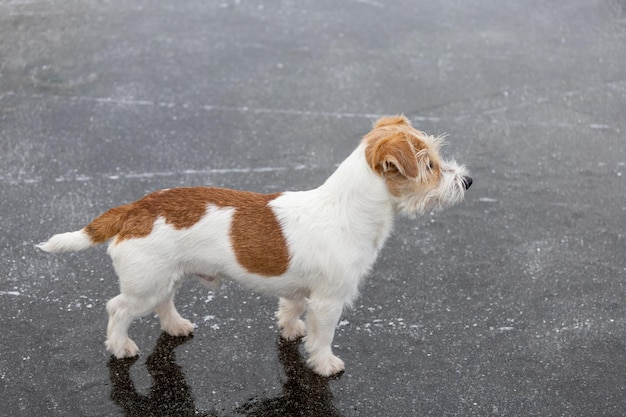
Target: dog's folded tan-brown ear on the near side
<point>393,154</point>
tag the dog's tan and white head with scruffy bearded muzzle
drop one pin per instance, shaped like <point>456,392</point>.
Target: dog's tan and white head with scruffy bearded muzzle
<point>409,162</point>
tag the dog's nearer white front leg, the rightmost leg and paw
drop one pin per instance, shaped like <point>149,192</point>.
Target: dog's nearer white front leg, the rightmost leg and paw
<point>321,319</point>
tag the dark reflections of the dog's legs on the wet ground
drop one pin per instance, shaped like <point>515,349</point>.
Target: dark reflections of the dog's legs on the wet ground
<point>304,392</point>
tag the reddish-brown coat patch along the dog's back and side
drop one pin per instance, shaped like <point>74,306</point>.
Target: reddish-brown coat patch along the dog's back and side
<point>255,233</point>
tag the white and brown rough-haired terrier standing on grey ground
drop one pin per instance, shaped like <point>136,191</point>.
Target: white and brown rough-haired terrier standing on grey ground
<point>310,248</point>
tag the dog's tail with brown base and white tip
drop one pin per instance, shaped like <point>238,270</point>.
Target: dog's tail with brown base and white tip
<point>100,230</point>
